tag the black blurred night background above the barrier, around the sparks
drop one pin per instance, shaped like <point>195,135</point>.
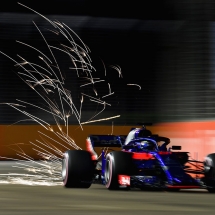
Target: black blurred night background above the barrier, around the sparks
<point>166,47</point>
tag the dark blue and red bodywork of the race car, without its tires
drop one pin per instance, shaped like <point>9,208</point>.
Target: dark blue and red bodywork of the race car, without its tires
<point>152,164</point>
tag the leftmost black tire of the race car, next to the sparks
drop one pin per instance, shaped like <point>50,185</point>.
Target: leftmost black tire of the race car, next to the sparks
<point>77,169</point>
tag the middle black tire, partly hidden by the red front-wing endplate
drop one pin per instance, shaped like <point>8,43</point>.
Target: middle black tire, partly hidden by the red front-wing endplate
<point>117,163</point>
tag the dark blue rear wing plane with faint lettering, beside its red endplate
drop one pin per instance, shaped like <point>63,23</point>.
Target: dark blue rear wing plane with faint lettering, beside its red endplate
<point>107,140</point>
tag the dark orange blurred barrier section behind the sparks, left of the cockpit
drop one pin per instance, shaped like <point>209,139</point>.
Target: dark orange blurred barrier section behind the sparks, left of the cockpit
<point>18,140</point>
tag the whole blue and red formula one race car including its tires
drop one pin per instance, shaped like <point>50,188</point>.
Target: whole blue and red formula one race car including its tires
<point>140,160</point>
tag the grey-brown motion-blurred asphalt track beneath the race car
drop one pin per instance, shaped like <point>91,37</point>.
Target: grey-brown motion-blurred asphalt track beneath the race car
<point>23,199</point>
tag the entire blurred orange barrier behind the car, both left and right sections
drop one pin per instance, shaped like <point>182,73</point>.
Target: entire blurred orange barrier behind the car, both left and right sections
<point>19,141</point>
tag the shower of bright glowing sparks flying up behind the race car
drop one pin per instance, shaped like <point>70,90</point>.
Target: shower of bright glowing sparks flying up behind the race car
<point>46,80</point>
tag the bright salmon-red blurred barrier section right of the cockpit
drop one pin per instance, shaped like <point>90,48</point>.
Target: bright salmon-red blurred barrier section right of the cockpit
<point>198,138</point>
